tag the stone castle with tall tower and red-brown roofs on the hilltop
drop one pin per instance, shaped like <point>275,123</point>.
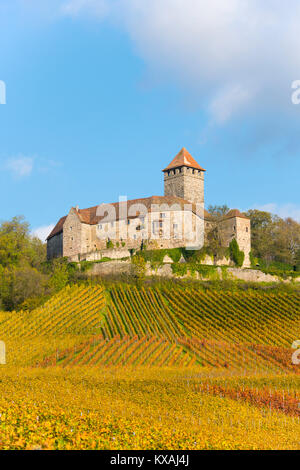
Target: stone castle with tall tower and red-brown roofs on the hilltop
<point>177,219</point>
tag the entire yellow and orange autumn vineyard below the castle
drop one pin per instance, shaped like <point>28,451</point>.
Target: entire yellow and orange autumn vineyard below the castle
<point>111,368</point>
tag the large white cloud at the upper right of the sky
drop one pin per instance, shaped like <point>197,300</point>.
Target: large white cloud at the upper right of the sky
<point>233,55</point>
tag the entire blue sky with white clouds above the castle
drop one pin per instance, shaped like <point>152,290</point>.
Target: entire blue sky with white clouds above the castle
<point>101,95</point>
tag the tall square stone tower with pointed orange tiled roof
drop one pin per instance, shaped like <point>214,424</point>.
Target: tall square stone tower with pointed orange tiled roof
<point>184,178</point>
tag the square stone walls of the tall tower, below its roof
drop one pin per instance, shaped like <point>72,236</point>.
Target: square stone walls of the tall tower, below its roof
<point>185,183</point>
